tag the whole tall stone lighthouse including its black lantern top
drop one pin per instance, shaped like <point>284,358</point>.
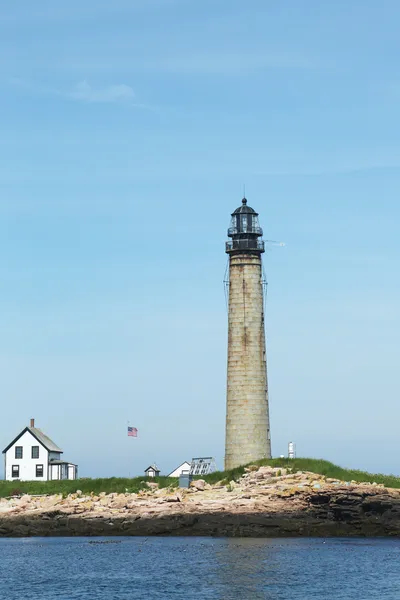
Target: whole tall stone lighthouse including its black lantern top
<point>247,414</point>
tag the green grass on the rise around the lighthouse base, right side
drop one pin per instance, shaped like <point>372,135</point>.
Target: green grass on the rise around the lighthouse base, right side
<point>319,466</point>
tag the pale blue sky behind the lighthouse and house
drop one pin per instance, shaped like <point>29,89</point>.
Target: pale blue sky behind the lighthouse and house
<point>127,132</point>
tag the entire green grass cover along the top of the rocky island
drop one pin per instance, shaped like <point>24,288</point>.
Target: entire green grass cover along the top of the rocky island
<point>122,485</point>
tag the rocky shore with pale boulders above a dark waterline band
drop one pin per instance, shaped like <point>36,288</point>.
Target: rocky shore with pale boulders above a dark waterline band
<point>265,502</point>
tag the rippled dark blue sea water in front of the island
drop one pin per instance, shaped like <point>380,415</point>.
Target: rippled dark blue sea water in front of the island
<point>217,568</point>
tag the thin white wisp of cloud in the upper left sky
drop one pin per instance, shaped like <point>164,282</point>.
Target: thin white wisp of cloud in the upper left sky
<point>84,92</point>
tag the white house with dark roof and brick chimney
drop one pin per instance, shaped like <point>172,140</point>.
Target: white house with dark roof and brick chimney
<point>32,456</point>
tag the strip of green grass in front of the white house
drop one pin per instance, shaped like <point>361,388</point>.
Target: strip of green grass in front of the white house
<point>86,485</point>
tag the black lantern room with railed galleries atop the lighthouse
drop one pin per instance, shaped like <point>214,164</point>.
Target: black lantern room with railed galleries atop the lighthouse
<point>245,231</point>
